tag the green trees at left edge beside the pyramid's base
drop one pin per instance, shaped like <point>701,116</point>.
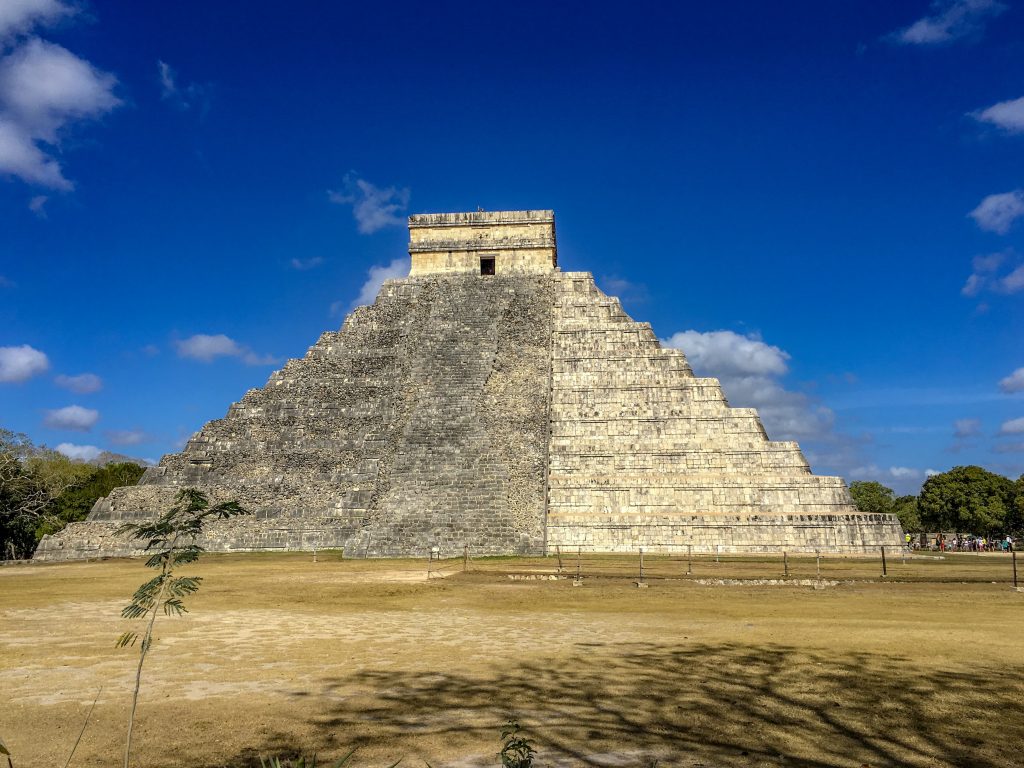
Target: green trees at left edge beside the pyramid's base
<point>42,491</point>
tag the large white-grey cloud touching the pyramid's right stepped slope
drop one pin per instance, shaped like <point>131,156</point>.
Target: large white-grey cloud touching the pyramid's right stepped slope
<point>749,369</point>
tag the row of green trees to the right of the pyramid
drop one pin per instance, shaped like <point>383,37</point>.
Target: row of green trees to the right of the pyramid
<point>968,500</point>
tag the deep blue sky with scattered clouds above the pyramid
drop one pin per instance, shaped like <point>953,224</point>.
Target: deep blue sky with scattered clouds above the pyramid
<point>823,204</point>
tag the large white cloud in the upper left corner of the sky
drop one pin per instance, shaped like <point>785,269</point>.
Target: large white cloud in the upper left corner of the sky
<point>44,90</point>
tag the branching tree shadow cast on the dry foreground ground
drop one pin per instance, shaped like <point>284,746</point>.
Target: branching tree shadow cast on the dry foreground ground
<point>722,705</point>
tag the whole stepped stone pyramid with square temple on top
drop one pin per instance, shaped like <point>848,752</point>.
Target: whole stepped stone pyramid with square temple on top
<point>491,401</point>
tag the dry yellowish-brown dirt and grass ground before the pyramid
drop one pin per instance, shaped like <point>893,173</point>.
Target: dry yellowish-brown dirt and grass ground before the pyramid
<point>281,656</point>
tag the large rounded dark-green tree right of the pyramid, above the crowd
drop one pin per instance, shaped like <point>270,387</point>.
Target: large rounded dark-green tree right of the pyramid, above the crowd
<point>966,499</point>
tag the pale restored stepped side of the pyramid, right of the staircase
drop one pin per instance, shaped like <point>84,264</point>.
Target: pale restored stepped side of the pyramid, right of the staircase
<point>644,454</point>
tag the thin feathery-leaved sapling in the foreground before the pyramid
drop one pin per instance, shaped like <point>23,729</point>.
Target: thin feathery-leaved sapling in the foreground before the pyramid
<point>172,540</point>
